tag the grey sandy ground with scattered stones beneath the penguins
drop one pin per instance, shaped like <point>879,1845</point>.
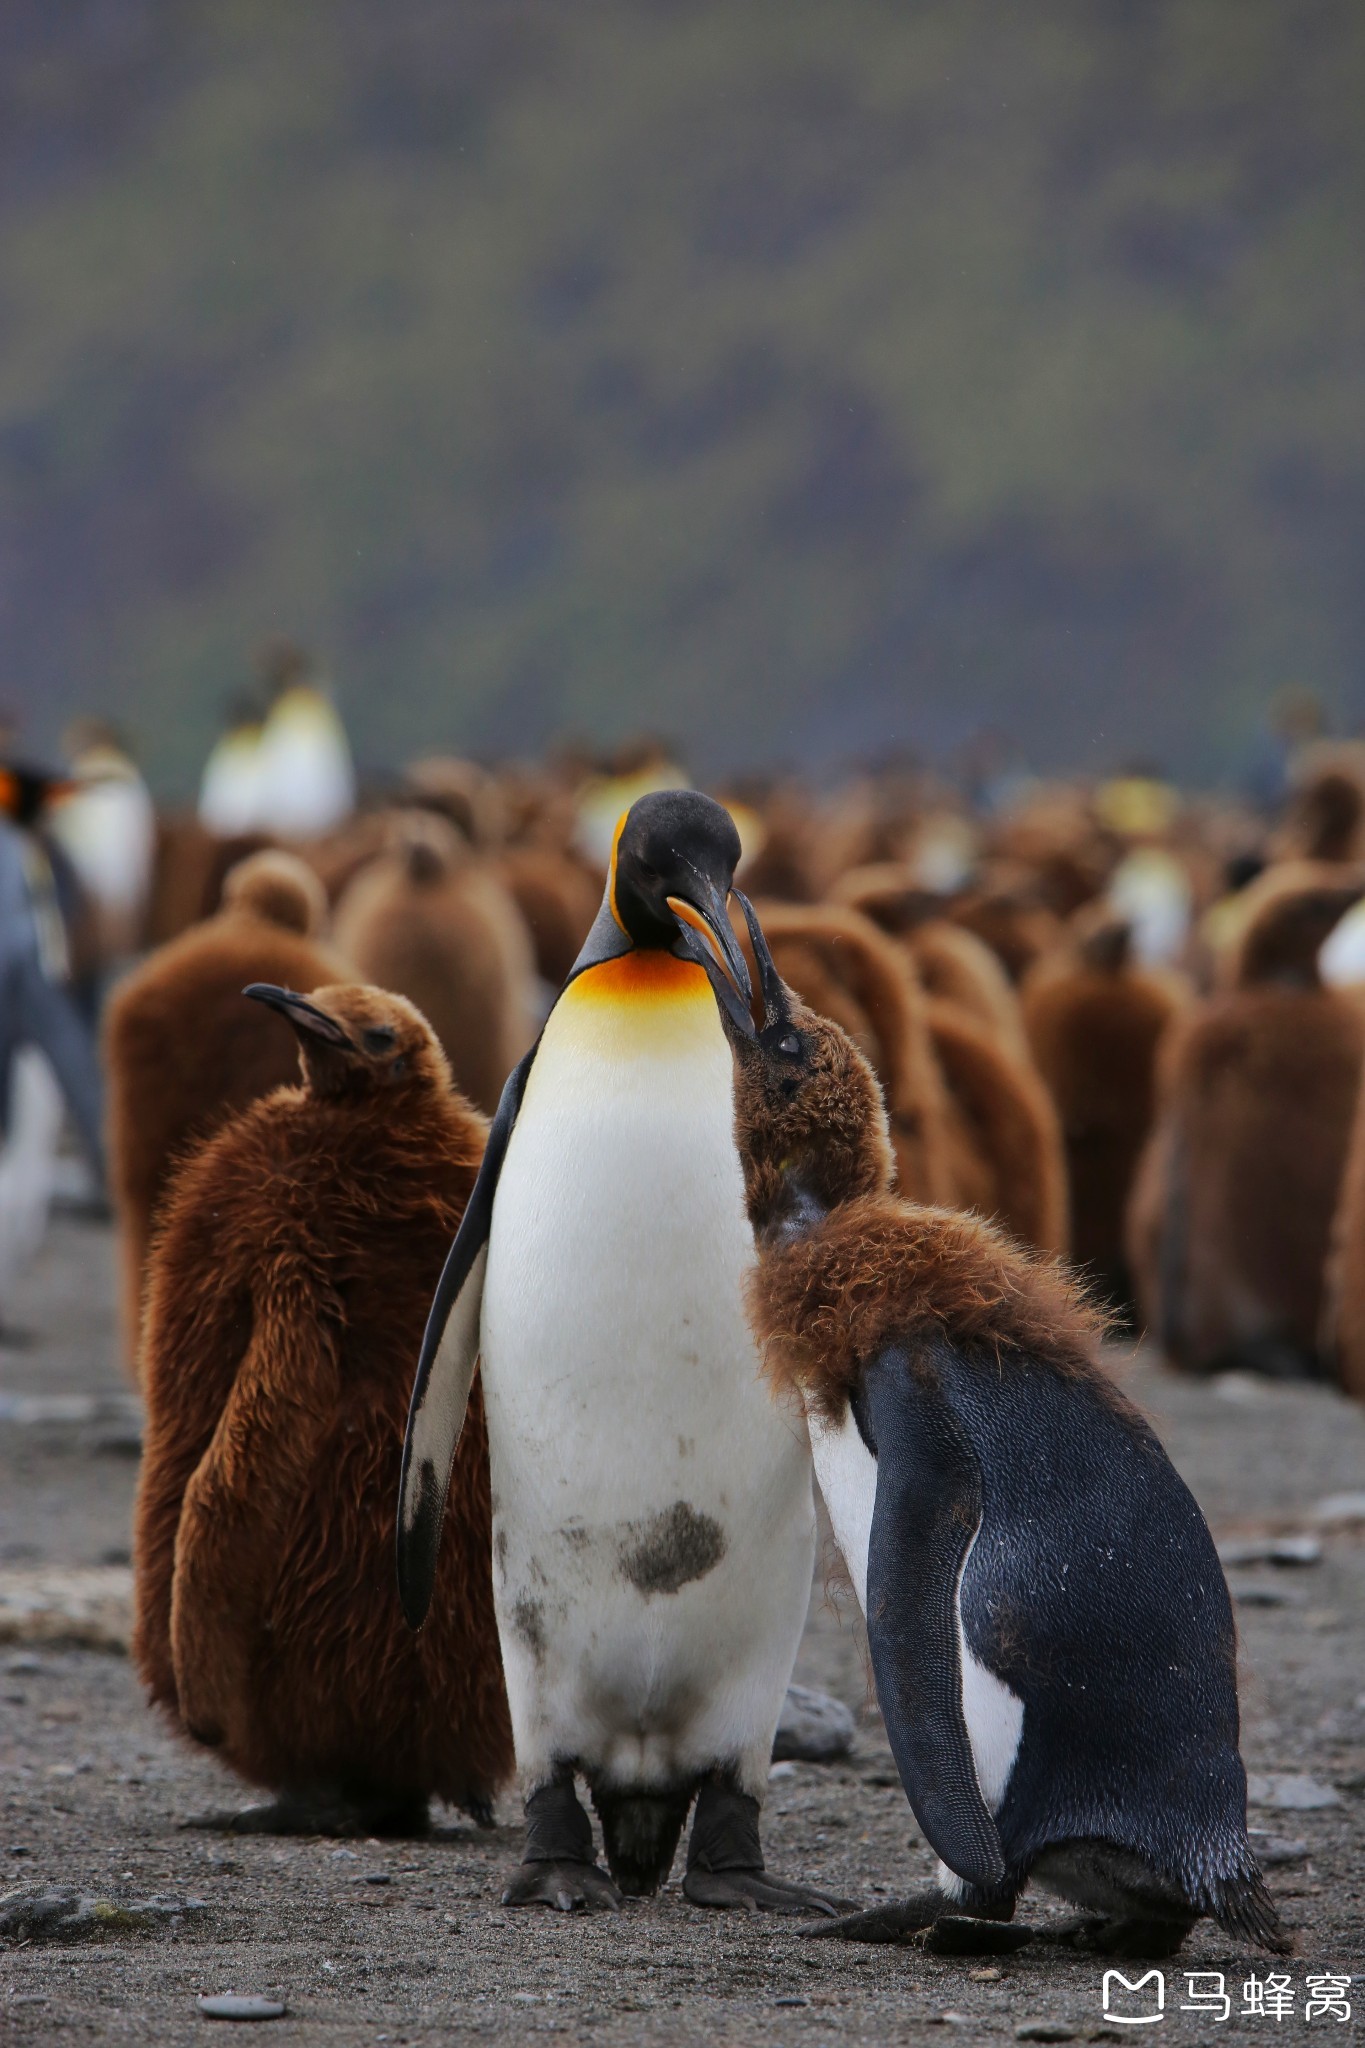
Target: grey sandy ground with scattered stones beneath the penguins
<point>408,1943</point>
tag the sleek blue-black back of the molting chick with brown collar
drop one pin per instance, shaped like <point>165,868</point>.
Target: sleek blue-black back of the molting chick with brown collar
<point>1096,1594</point>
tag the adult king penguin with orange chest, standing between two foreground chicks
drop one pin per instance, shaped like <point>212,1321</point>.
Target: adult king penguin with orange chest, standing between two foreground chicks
<point>654,1523</point>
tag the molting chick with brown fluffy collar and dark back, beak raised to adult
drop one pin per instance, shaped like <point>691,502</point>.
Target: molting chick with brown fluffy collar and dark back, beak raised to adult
<point>1049,1625</point>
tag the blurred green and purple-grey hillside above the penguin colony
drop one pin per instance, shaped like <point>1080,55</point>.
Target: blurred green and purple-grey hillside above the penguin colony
<point>791,378</point>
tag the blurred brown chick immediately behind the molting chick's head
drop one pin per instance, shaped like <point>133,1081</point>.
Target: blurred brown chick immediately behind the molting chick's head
<point>850,972</point>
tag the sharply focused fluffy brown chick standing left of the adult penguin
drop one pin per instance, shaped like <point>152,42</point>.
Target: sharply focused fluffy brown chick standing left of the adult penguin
<point>288,1299</point>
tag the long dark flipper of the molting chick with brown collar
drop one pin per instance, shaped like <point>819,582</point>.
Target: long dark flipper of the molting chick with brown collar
<point>926,1514</point>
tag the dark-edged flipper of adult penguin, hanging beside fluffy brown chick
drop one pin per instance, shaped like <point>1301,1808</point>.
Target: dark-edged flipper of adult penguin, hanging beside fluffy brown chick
<point>447,1369</point>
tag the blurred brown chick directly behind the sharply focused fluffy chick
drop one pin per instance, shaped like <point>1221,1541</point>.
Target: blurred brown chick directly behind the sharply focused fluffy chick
<point>183,1052</point>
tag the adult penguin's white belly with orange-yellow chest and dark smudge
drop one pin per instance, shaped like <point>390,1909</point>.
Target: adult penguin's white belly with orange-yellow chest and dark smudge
<point>654,1529</point>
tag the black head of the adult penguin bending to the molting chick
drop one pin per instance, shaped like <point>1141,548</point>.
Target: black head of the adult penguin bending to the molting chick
<point>674,867</point>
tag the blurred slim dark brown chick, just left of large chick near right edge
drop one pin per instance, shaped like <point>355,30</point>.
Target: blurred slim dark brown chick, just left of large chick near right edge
<point>1094,1025</point>
